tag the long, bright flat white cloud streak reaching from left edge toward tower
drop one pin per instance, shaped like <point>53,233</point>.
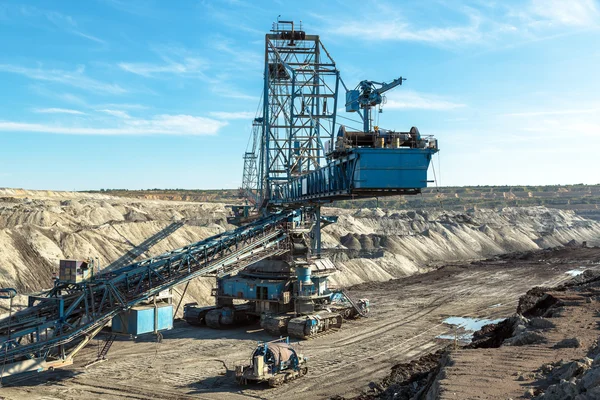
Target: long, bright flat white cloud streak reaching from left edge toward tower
<point>158,125</point>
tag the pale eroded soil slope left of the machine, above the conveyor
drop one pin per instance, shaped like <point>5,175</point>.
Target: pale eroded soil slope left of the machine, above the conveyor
<point>37,229</point>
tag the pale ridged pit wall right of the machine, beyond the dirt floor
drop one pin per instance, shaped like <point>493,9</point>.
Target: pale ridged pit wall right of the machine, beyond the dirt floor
<point>409,241</point>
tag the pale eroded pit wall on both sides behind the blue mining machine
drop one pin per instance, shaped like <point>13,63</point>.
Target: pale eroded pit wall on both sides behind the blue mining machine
<point>38,228</point>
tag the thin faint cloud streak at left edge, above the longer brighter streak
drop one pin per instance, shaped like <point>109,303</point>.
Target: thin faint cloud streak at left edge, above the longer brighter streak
<point>75,78</point>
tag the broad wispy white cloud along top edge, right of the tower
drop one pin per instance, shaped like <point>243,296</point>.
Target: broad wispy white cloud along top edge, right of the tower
<point>481,23</point>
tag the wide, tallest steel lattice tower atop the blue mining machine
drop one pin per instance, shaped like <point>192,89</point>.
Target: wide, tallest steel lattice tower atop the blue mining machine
<point>299,105</point>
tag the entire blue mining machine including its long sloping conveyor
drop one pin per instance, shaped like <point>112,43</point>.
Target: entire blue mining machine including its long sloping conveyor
<point>270,267</point>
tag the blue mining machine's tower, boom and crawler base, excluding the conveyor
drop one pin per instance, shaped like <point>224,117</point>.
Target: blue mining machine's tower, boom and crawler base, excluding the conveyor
<point>299,161</point>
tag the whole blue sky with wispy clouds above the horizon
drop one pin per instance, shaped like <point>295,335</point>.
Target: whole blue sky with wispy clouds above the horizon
<point>142,94</point>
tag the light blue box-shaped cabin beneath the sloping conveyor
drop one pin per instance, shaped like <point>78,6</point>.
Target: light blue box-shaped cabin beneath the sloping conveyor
<point>140,320</point>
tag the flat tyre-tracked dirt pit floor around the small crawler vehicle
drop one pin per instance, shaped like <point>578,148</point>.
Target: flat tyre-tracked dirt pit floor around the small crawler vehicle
<point>406,317</point>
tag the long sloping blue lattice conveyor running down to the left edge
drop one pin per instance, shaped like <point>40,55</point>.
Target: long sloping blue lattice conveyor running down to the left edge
<point>59,322</point>
